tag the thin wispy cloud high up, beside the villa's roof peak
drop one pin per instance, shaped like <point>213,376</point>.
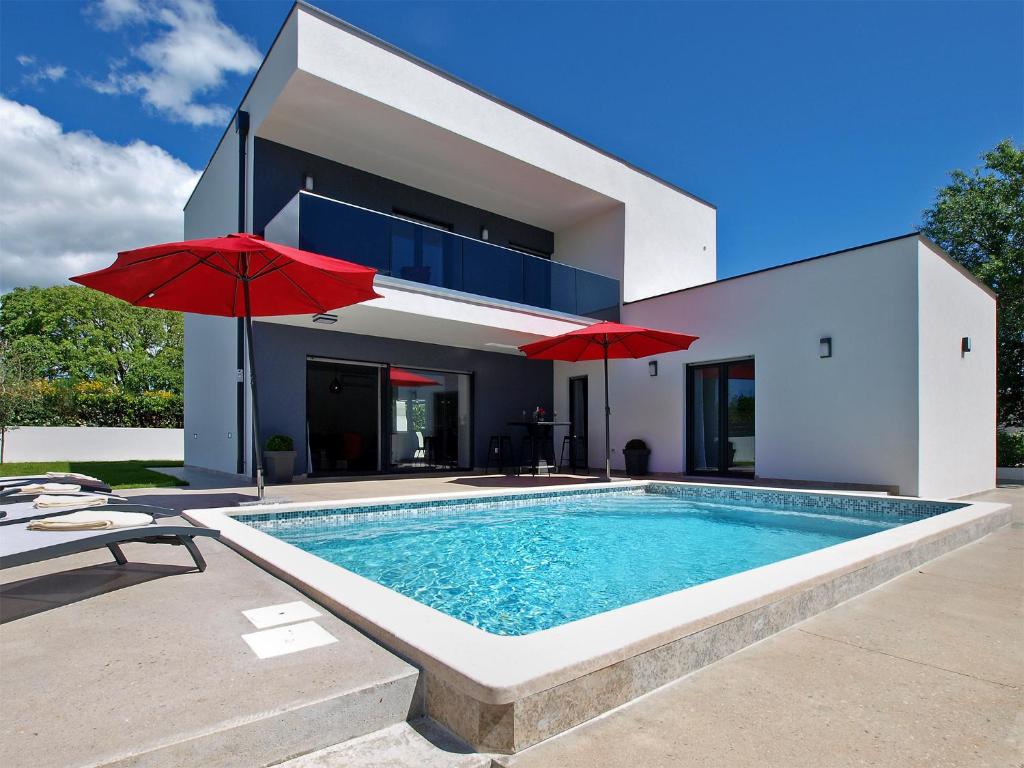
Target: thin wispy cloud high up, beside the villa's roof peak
<point>189,58</point>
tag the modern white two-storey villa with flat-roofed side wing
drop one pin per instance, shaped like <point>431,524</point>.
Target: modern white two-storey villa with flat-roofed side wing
<point>492,229</point>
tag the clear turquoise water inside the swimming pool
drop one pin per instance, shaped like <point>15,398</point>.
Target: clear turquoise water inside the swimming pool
<point>517,570</point>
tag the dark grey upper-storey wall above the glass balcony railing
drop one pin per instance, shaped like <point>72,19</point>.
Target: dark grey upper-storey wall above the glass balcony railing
<point>279,174</point>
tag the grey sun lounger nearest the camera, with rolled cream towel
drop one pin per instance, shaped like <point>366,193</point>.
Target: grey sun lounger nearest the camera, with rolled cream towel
<point>21,546</point>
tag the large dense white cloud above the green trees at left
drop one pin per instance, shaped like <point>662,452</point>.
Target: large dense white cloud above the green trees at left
<point>70,201</point>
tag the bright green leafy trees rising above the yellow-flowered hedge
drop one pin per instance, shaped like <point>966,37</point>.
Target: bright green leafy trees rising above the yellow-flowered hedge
<point>74,334</point>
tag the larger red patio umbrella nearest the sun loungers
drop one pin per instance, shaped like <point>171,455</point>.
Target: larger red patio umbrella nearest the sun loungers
<point>238,276</point>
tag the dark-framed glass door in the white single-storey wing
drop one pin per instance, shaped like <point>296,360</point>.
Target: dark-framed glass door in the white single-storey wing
<point>720,418</point>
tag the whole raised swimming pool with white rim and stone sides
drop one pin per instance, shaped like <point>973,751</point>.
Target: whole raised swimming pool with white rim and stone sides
<point>605,592</point>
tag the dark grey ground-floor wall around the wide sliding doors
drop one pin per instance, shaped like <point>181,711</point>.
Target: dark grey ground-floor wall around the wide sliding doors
<point>504,386</point>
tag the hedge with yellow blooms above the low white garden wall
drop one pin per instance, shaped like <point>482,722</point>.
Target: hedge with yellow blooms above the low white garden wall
<point>44,404</point>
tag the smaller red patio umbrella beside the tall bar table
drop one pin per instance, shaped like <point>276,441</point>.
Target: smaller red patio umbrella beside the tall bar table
<point>605,342</point>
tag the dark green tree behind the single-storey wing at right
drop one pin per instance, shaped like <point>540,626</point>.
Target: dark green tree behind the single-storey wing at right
<point>978,219</point>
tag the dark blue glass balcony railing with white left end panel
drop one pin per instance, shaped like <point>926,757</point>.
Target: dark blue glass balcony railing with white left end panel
<point>424,254</point>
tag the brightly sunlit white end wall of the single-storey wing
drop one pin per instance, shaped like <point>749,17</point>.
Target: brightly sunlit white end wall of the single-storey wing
<point>958,392</point>
